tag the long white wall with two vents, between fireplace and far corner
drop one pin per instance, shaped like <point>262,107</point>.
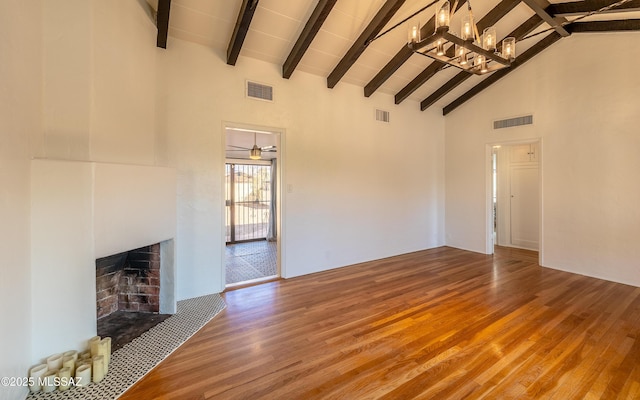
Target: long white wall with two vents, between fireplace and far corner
<point>362,189</point>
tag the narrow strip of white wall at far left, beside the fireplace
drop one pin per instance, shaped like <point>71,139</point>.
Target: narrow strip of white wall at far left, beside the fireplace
<point>20,118</point>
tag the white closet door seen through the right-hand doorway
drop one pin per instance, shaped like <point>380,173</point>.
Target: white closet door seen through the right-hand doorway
<point>524,207</point>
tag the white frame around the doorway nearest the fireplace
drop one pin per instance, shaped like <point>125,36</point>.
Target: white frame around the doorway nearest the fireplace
<point>280,199</point>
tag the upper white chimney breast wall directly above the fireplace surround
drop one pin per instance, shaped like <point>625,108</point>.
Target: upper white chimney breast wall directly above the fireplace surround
<point>99,69</point>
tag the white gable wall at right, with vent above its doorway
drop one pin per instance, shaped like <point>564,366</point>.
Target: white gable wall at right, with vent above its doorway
<point>585,111</point>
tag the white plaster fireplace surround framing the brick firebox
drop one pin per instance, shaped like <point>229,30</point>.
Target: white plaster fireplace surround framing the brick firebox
<point>81,211</point>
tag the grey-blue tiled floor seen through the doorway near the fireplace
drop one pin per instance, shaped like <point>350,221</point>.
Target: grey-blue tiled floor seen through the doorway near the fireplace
<point>250,260</point>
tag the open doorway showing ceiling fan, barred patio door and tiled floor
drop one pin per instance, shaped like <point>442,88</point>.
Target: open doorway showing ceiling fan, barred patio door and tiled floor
<point>252,206</point>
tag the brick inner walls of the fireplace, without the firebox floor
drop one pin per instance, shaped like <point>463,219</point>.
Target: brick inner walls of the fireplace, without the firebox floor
<point>129,281</point>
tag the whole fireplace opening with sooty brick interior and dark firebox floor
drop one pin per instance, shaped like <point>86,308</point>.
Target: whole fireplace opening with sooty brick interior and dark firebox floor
<point>128,294</point>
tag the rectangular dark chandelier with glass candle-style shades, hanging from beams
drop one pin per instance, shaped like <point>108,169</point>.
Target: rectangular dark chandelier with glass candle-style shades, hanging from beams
<point>473,53</point>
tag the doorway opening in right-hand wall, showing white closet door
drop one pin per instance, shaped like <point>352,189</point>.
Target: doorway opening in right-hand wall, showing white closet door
<point>516,195</point>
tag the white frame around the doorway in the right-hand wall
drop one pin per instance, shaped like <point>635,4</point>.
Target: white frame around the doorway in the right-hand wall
<point>489,192</point>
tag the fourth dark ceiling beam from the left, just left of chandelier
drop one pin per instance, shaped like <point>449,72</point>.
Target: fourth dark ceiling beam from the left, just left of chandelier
<point>378,22</point>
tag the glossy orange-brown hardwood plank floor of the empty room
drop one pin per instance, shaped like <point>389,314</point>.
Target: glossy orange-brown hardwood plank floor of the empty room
<point>436,324</point>
